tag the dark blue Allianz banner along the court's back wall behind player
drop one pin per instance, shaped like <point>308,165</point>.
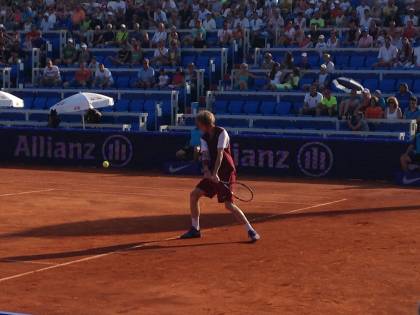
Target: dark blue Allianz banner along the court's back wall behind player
<point>268,155</point>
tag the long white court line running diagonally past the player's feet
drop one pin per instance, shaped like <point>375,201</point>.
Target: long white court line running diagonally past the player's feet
<point>73,262</point>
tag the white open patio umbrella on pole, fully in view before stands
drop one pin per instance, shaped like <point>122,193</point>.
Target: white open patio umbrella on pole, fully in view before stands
<point>82,102</point>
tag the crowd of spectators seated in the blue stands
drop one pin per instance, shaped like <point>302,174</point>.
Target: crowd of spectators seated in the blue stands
<point>390,26</point>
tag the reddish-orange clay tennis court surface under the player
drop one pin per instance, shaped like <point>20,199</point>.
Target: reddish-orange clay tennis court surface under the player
<point>81,242</point>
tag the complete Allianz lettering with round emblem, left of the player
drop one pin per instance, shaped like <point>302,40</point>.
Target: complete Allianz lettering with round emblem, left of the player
<point>116,148</point>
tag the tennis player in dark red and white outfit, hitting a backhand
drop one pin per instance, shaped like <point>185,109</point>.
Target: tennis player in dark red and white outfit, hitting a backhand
<point>218,166</point>
